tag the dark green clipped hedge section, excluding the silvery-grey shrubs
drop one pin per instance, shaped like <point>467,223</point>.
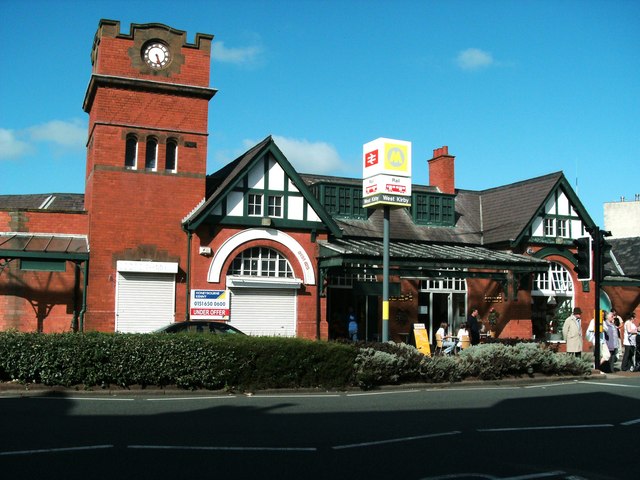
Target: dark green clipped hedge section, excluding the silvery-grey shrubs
<point>187,361</point>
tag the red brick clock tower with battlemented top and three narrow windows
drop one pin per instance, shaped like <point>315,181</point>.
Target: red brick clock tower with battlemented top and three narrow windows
<point>147,102</point>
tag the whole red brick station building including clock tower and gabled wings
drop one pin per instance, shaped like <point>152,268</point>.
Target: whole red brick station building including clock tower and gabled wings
<point>290,252</point>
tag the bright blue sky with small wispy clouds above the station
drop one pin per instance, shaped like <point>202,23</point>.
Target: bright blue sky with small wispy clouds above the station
<point>515,89</point>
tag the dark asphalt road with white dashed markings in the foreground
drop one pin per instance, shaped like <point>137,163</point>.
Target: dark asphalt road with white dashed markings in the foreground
<point>569,429</point>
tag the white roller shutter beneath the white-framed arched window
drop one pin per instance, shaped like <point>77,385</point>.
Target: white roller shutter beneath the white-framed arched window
<point>264,311</point>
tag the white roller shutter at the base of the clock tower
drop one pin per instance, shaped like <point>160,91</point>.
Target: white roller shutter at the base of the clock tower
<point>144,302</point>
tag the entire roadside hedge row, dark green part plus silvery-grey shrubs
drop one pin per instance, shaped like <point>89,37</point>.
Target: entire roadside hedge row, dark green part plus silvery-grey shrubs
<point>252,363</point>
